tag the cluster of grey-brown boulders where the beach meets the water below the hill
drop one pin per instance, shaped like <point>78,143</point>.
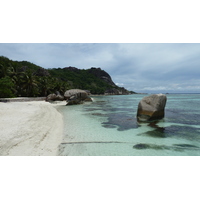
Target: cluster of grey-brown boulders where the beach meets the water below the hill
<point>73,96</point>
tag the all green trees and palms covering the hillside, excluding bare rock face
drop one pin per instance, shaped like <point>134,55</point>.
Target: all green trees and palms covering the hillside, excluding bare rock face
<point>29,80</point>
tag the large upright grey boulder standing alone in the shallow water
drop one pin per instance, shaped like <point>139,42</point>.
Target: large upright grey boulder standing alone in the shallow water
<point>151,108</point>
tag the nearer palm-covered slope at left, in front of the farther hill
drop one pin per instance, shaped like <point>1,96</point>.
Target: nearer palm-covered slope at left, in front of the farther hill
<point>27,79</point>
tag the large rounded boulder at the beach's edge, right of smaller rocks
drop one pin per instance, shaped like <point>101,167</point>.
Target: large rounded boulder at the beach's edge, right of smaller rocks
<point>76,96</point>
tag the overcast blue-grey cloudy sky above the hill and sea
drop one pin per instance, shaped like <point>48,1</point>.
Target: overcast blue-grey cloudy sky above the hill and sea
<point>148,67</point>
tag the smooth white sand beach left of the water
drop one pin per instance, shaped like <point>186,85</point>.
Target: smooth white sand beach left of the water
<point>32,128</point>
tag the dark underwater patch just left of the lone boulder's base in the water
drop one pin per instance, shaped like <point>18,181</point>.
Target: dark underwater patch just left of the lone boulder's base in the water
<point>121,120</point>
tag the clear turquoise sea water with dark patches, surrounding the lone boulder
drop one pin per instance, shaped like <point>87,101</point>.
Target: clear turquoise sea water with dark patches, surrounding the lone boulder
<point>108,127</point>
